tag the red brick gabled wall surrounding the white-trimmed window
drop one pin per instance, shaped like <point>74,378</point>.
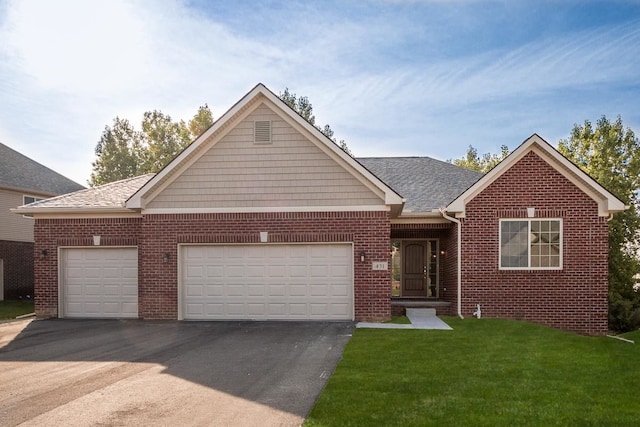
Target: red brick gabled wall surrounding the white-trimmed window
<point>574,298</point>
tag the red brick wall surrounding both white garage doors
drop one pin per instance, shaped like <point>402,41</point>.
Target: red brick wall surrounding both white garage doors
<point>158,234</point>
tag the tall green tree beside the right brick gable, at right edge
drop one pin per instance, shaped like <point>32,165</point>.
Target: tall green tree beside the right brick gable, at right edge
<point>610,153</point>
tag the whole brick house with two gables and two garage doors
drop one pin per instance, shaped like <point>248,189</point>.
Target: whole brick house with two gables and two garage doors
<point>263,217</point>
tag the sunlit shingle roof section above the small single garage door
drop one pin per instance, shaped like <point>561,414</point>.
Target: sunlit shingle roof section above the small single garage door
<point>112,195</point>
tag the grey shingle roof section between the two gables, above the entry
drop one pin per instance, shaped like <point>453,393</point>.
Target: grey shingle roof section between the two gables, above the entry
<point>426,183</point>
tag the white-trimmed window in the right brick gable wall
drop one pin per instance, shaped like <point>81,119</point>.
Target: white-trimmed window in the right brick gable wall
<point>530,244</point>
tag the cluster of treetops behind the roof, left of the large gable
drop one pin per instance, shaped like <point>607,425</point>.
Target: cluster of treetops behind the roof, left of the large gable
<point>124,152</point>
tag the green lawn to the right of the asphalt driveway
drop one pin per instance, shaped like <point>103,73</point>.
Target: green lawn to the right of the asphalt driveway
<point>485,372</point>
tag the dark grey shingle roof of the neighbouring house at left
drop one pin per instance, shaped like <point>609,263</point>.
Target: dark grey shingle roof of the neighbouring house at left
<point>20,172</point>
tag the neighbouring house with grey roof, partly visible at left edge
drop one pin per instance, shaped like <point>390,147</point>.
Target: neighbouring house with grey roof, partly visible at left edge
<point>22,181</point>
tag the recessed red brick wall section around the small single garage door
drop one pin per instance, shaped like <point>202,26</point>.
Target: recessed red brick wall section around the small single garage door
<point>50,234</point>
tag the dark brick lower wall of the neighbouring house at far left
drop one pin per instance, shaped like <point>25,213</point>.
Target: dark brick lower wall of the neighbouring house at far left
<point>18,269</point>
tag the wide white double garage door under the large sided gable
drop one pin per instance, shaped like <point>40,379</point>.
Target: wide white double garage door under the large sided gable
<point>267,282</point>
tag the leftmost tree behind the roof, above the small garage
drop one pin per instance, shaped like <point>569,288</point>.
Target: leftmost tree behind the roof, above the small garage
<point>118,153</point>
